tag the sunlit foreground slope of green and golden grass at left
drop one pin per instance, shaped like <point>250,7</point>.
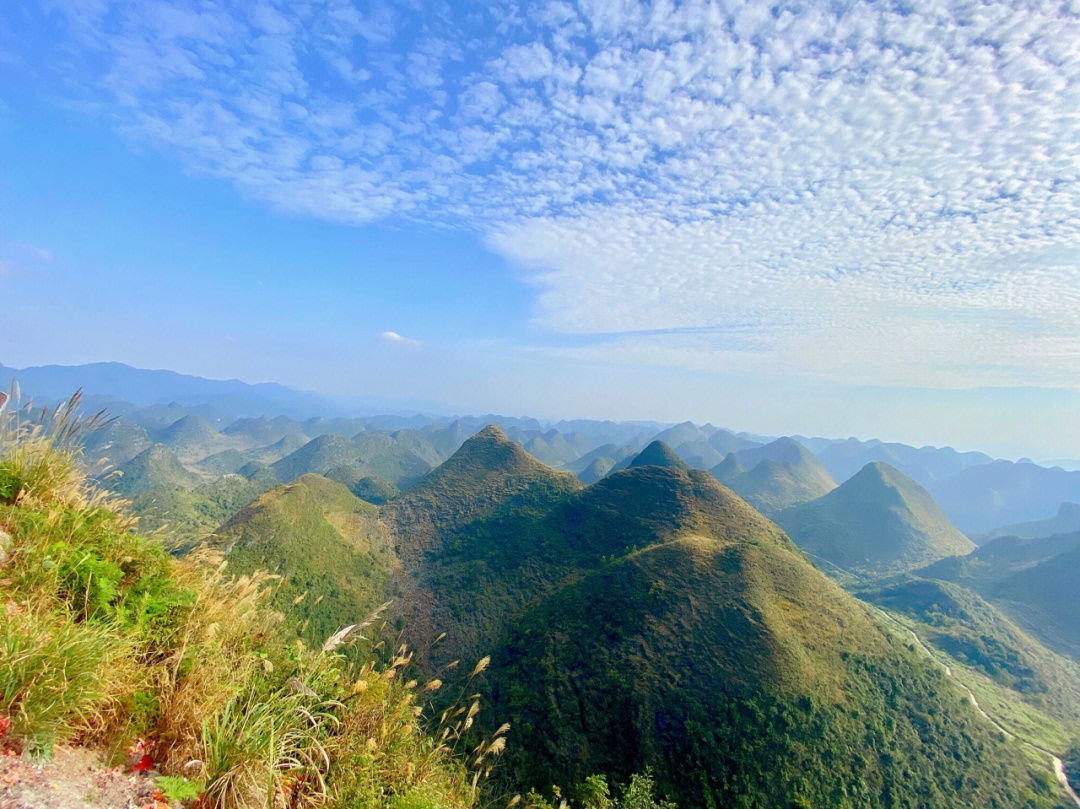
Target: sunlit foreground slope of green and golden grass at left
<point>107,641</point>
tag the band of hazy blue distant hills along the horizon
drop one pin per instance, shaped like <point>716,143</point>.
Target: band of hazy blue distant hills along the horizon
<point>231,425</point>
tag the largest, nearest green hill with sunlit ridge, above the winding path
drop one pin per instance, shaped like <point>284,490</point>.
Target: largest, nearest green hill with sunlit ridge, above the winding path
<point>693,637</point>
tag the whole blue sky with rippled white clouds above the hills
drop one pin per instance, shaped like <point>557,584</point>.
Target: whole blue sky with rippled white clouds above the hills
<point>840,219</point>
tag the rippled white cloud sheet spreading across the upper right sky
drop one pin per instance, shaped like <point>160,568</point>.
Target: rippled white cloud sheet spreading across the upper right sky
<point>866,194</point>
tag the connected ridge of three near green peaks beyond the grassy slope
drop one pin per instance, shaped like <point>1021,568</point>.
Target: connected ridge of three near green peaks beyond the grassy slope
<point>653,619</point>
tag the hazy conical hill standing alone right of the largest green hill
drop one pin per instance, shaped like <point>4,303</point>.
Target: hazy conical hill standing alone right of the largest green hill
<point>877,523</point>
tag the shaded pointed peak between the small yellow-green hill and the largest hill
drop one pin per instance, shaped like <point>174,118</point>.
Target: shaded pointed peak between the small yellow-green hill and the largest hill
<point>465,531</point>
